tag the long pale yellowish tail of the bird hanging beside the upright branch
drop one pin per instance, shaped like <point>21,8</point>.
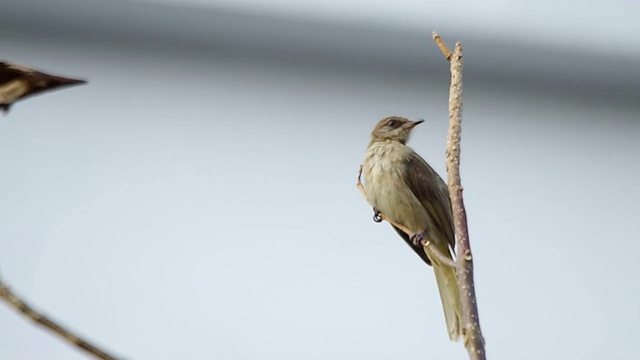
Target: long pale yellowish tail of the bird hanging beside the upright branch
<point>447,281</point>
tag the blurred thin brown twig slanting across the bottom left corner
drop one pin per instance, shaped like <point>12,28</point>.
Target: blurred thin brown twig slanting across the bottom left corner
<point>14,301</point>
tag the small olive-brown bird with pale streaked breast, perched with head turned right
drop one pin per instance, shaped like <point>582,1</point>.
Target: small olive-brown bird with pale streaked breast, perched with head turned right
<point>402,187</point>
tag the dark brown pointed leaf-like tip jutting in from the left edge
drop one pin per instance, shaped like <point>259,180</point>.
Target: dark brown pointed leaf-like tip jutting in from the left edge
<point>17,82</point>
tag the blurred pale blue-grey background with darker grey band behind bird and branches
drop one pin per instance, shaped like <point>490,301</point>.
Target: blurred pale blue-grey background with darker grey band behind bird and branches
<point>197,199</point>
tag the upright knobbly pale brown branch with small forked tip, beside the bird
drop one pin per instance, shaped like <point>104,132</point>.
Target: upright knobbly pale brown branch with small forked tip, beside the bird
<point>473,340</point>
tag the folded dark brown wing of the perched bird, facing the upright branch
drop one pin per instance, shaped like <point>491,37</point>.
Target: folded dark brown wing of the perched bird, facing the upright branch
<point>430,189</point>
